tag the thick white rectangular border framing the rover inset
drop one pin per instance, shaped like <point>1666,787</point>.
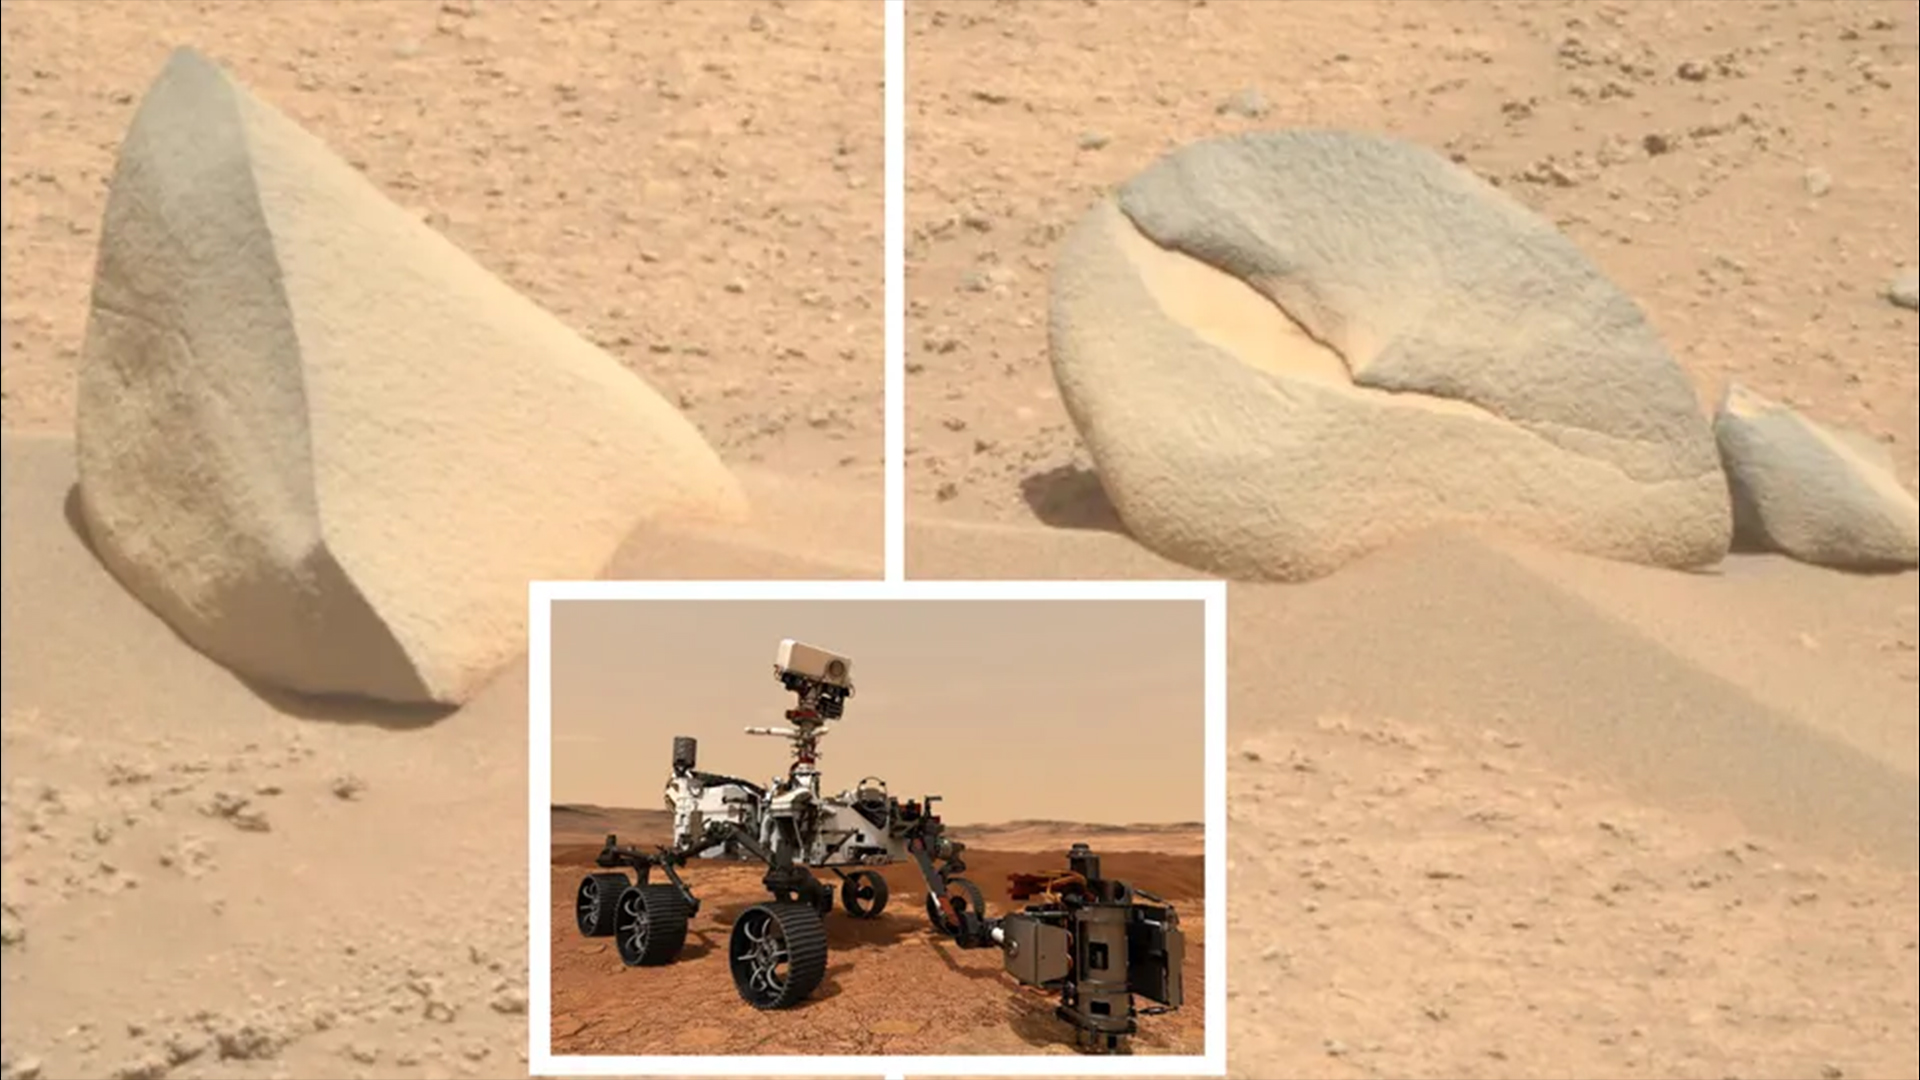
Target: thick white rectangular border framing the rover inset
<point>542,1062</point>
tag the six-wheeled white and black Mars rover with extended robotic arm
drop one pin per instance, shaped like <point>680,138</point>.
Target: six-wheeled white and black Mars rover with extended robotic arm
<point>1095,943</point>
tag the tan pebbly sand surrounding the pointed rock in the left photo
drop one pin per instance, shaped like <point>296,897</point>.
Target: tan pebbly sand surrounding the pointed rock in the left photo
<point>201,881</point>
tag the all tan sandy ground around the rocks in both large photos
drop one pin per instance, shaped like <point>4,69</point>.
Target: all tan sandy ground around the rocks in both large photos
<point>1495,812</point>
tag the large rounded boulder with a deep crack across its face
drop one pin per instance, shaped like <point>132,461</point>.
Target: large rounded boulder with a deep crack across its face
<point>1287,351</point>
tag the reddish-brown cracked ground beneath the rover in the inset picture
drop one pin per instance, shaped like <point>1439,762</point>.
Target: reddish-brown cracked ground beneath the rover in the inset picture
<point>892,987</point>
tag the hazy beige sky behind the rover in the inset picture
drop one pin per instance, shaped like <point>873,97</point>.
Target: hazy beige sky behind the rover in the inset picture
<point>1011,710</point>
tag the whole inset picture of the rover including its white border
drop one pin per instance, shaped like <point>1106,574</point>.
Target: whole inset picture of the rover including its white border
<point>896,835</point>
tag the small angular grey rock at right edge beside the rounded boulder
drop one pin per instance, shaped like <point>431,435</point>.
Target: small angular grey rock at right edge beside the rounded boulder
<point>1817,495</point>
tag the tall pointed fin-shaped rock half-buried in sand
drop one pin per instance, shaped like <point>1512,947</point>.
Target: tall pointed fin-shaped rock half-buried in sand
<point>324,443</point>
